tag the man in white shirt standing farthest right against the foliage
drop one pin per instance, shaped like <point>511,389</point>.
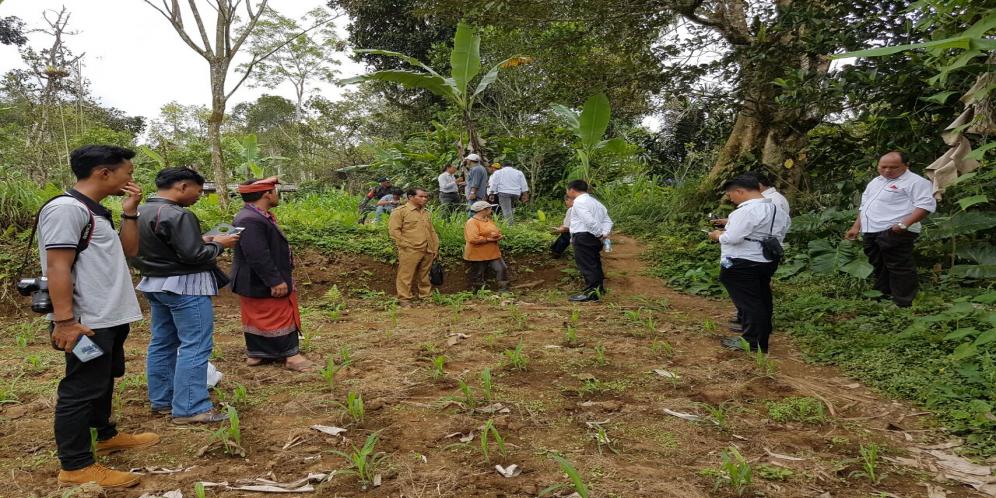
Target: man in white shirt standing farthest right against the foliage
<point>892,206</point>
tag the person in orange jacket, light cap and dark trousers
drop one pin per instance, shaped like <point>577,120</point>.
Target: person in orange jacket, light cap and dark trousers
<point>481,250</point>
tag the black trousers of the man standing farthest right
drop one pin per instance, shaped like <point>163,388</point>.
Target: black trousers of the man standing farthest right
<point>891,254</point>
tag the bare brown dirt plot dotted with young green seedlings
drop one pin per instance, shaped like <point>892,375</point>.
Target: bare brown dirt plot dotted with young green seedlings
<point>595,399</point>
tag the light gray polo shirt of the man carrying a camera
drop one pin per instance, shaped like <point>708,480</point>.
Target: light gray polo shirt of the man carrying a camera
<point>103,295</point>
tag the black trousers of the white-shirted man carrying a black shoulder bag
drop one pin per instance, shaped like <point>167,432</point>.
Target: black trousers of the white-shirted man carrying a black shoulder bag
<point>749,285</point>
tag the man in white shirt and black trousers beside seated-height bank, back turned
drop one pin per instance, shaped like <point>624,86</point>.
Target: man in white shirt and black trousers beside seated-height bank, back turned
<point>589,227</point>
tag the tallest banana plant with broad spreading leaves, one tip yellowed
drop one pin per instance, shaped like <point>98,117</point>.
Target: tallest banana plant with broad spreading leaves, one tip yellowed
<point>465,65</point>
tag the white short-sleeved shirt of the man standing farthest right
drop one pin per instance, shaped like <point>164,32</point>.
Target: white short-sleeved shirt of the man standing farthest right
<point>886,202</point>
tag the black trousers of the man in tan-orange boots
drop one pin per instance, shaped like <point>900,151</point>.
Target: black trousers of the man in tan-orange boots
<point>84,398</point>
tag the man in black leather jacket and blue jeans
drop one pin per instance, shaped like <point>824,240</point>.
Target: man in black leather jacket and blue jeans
<point>179,276</point>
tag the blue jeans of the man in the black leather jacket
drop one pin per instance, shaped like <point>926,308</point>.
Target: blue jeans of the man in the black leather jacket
<point>182,338</point>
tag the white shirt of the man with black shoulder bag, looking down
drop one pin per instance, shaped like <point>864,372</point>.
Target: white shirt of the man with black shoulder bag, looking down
<point>752,220</point>
